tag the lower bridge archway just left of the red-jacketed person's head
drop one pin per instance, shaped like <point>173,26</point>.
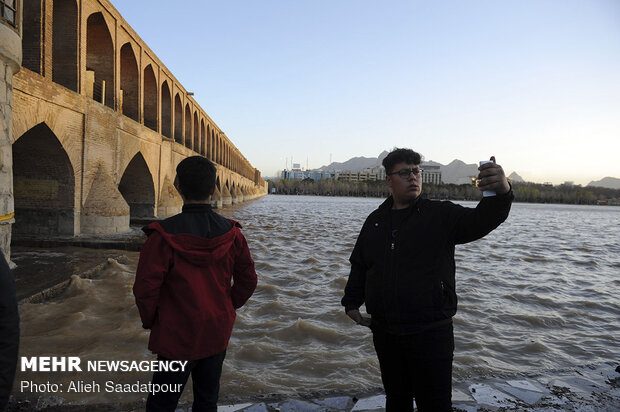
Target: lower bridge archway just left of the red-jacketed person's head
<point>138,189</point>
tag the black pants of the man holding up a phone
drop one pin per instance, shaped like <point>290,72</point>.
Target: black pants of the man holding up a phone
<point>416,366</point>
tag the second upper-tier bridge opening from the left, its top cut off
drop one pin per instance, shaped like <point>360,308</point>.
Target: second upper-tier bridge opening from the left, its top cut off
<point>65,44</point>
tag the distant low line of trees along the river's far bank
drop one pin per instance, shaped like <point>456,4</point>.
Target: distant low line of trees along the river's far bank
<point>524,191</point>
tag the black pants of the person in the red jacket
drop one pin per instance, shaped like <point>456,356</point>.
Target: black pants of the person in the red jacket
<point>206,374</point>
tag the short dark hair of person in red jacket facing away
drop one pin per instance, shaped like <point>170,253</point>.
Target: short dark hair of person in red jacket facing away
<point>196,177</point>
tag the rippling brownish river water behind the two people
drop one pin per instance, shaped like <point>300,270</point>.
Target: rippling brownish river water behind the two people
<point>539,293</point>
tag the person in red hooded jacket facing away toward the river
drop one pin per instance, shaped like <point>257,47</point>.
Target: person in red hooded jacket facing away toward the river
<point>194,270</point>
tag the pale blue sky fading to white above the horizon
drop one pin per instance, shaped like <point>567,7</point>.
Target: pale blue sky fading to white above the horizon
<point>536,83</point>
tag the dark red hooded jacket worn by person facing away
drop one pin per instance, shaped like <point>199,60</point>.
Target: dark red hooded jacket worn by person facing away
<point>185,292</point>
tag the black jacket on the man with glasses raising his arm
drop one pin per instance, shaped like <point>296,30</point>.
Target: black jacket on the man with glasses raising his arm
<point>407,277</point>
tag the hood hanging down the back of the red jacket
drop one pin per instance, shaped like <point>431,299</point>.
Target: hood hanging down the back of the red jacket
<point>197,249</point>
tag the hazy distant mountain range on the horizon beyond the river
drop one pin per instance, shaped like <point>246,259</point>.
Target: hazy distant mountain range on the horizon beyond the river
<point>457,171</point>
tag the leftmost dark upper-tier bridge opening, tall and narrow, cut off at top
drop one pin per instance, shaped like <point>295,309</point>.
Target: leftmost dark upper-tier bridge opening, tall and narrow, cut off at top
<point>31,36</point>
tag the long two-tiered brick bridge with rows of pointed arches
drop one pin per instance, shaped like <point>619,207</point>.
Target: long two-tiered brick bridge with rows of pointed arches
<point>99,124</point>
